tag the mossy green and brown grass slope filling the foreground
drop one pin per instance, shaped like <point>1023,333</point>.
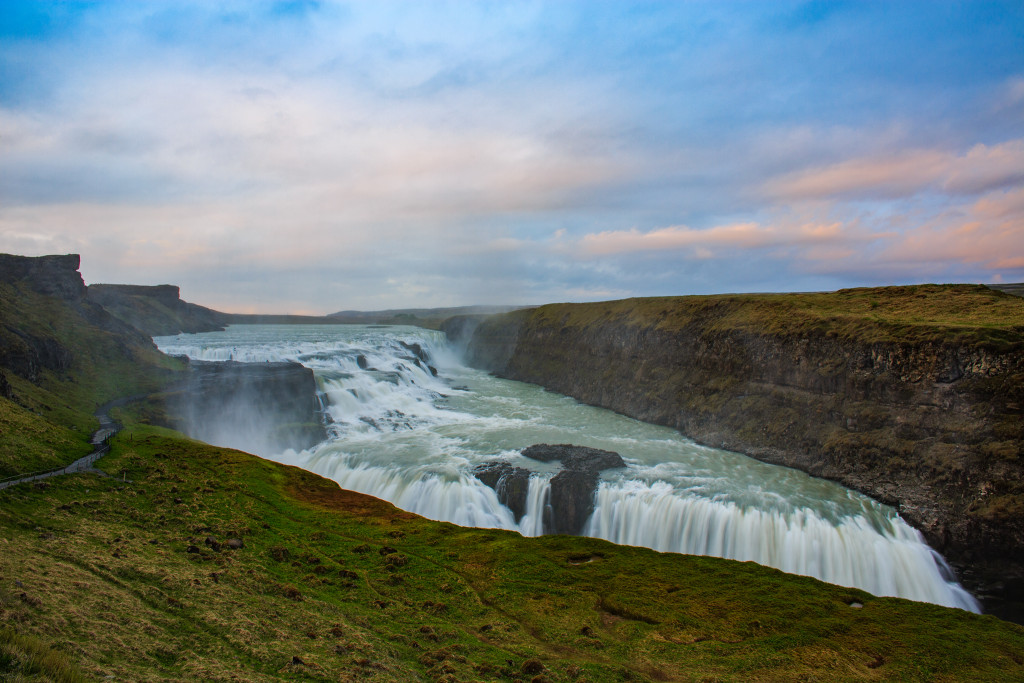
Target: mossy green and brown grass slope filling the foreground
<point>133,577</point>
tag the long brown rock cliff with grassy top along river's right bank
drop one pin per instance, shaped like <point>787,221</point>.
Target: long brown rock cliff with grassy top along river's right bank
<point>914,396</point>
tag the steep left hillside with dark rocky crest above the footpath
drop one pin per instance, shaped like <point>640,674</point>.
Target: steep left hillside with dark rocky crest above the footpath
<point>61,357</point>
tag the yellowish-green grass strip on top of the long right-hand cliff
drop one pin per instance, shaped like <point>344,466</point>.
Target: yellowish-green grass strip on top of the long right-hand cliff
<point>974,315</point>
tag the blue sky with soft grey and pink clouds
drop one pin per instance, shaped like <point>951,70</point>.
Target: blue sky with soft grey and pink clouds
<point>313,157</point>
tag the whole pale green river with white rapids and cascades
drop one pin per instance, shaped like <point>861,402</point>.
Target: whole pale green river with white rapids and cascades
<point>405,436</point>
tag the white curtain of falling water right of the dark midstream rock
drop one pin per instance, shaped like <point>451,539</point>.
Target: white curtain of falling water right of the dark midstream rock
<point>897,563</point>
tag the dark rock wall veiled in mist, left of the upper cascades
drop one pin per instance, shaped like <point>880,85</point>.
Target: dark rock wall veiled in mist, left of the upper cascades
<point>262,408</point>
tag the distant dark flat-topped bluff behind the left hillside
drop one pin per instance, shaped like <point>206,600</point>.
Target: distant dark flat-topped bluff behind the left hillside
<point>156,311</point>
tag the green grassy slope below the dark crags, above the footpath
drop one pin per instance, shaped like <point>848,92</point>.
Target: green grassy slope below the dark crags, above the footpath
<point>50,423</point>
